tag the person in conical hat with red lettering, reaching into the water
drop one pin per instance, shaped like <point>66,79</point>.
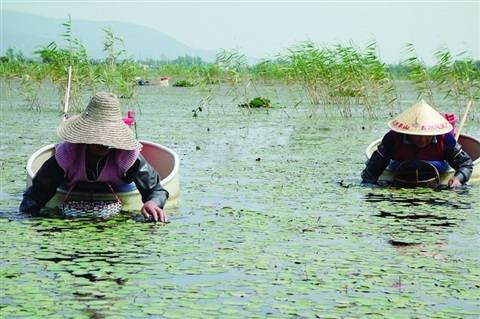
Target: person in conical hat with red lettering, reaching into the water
<point>419,133</point>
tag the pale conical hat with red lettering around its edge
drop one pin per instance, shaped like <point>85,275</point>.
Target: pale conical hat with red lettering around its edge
<point>420,119</point>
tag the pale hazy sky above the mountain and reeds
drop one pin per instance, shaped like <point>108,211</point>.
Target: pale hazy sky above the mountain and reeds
<point>263,28</point>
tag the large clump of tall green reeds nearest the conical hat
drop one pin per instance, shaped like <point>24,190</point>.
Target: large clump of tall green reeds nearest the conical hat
<point>342,76</point>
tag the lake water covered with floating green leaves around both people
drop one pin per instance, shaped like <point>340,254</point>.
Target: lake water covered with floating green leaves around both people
<point>272,223</point>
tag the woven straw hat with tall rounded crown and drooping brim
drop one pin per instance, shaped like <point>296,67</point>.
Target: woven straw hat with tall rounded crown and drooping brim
<point>101,123</point>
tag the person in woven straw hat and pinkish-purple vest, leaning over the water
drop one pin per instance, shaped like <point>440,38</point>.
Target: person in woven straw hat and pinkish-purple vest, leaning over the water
<point>97,146</point>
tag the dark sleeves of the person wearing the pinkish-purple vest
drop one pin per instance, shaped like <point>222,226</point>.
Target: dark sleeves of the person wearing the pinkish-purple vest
<point>50,176</point>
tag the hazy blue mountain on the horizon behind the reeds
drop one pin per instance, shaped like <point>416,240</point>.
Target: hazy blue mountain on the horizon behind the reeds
<point>29,32</point>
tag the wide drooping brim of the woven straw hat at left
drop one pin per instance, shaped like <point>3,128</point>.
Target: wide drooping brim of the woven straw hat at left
<point>86,130</point>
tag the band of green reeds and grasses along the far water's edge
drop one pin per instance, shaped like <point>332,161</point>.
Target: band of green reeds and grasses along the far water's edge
<point>345,76</point>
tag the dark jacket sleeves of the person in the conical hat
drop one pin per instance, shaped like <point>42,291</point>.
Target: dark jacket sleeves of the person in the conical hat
<point>452,154</point>
